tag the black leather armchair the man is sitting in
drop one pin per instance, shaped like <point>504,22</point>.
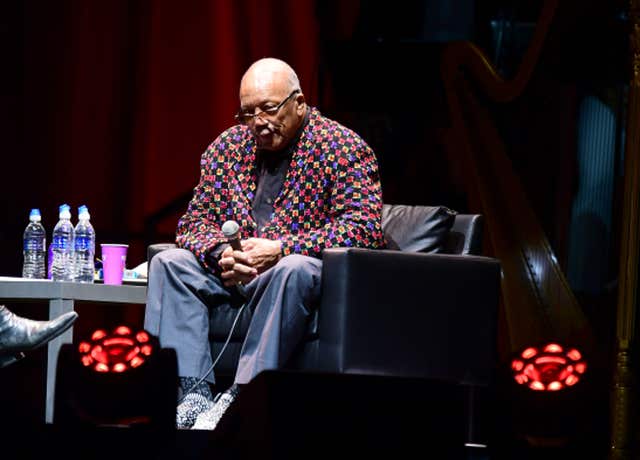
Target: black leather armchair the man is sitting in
<point>425,308</point>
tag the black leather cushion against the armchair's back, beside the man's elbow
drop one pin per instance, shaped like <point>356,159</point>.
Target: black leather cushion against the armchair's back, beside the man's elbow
<point>416,228</point>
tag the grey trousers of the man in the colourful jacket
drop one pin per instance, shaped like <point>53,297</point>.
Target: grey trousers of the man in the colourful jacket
<point>180,293</point>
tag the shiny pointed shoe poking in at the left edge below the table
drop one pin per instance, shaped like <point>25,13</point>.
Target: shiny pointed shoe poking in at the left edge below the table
<point>19,335</point>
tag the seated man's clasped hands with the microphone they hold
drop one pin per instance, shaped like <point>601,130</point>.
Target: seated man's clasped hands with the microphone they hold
<point>242,261</point>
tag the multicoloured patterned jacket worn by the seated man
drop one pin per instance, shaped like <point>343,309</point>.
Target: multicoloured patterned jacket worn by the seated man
<point>331,194</point>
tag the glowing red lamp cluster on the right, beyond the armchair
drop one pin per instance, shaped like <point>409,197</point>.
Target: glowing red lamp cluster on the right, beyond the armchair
<point>548,368</point>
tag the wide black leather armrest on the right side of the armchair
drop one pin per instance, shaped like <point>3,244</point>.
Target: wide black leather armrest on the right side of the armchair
<point>409,314</point>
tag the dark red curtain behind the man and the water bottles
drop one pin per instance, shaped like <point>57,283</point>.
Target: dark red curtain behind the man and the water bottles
<point>119,99</point>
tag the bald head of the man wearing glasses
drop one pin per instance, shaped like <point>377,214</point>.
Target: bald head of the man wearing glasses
<point>270,92</point>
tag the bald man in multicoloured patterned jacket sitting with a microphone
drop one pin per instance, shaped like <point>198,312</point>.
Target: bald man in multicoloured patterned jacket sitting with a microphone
<point>296,182</point>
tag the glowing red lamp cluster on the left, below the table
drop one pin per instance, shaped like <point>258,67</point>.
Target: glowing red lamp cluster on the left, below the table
<point>116,352</point>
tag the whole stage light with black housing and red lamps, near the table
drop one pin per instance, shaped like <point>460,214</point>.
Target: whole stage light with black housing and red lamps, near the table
<point>119,377</point>
